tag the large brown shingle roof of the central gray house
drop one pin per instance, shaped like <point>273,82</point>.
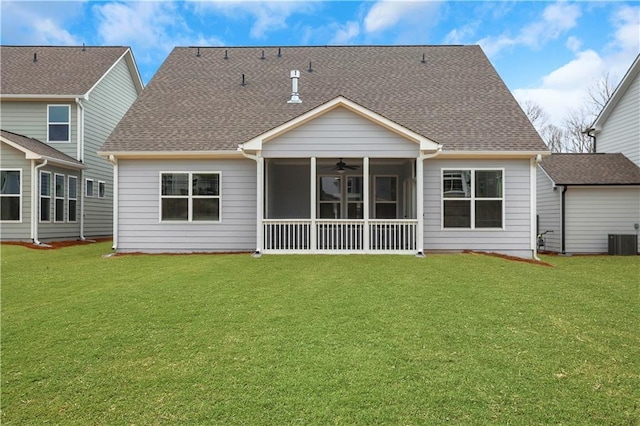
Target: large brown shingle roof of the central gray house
<point>449,94</point>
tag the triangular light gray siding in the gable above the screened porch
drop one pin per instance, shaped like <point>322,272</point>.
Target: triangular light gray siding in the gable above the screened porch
<point>340,133</point>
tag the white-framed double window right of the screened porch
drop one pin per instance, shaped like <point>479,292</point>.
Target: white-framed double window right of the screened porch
<point>472,198</point>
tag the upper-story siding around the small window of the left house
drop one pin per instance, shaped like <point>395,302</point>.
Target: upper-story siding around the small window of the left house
<point>30,119</point>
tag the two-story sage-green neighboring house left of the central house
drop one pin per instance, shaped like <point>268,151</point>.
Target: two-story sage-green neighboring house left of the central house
<point>58,105</point>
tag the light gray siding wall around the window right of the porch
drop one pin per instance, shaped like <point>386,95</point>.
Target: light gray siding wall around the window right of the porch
<point>514,239</point>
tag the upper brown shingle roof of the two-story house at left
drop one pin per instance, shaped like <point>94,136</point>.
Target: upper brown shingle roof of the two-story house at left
<point>59,71</point>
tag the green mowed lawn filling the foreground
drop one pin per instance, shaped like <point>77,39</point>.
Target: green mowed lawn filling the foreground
<point>231,339</point>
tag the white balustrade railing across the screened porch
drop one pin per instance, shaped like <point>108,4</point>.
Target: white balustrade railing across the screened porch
<point>341,236</point>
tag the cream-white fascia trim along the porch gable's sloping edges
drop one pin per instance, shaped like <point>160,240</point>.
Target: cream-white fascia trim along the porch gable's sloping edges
<point>255,144</point>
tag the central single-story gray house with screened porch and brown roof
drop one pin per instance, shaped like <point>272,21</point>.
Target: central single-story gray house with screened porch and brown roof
<point>327,149</point>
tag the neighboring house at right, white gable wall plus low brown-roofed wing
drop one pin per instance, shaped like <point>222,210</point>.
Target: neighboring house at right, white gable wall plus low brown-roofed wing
<point>586,199</point>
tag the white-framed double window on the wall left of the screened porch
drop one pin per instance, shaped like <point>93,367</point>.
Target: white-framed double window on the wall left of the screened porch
<point>190,197</point>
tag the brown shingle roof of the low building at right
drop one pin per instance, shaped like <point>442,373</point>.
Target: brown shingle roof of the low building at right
<point>591,169</point>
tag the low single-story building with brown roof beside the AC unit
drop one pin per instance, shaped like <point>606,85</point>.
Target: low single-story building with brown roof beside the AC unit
<point>584,198</point>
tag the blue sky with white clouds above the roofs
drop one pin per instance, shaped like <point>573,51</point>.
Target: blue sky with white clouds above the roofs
<point>547,52</point>
